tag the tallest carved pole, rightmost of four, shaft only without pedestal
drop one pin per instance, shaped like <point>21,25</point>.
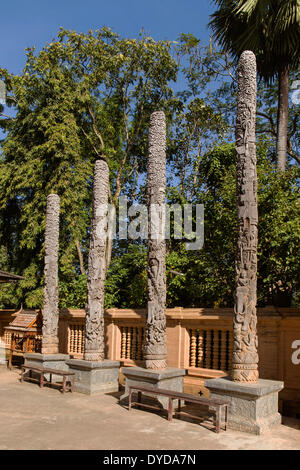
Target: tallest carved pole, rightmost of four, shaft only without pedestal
<point>245,357</point>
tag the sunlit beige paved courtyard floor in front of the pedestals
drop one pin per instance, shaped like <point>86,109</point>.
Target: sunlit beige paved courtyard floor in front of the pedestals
<point>34,418</point>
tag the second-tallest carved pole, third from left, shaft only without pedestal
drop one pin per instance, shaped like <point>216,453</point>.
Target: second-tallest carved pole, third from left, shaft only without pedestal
<point>155,350</point>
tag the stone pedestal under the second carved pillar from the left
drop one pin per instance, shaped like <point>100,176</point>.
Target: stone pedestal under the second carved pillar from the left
<point>95,377</point>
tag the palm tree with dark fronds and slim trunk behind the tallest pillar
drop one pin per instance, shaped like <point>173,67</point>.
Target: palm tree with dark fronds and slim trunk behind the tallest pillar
<point>271,29</point>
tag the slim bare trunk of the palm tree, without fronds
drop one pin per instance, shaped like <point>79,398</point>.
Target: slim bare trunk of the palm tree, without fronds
<point>282,117</point>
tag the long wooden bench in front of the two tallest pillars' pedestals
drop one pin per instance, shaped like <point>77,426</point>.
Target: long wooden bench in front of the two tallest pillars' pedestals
<point>217,405</point>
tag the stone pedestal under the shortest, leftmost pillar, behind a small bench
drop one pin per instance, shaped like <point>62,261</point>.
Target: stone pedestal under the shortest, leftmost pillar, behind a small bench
<point>53,361</point>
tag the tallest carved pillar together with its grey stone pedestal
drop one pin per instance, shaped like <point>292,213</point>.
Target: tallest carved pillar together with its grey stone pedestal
<point>253,401</point>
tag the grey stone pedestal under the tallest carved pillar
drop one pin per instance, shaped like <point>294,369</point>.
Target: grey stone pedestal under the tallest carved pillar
<point>253,407</point>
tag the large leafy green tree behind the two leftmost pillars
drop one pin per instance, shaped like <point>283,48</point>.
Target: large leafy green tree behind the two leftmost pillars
<point>83,97</point>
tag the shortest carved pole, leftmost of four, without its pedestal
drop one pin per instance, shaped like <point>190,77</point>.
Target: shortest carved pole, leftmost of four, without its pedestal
<point>50,309</point>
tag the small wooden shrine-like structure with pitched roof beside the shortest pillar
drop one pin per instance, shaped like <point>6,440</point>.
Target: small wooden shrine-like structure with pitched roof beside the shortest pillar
<point>25,333</point>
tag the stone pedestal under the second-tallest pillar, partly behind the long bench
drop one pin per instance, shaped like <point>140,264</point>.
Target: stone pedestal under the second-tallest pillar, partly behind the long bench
<point>169,378</point>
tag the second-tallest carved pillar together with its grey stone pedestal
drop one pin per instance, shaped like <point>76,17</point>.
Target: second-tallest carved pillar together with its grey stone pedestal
<point>156,373</point>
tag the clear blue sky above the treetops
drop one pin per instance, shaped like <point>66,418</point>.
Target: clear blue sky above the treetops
<point>26,23</point>
